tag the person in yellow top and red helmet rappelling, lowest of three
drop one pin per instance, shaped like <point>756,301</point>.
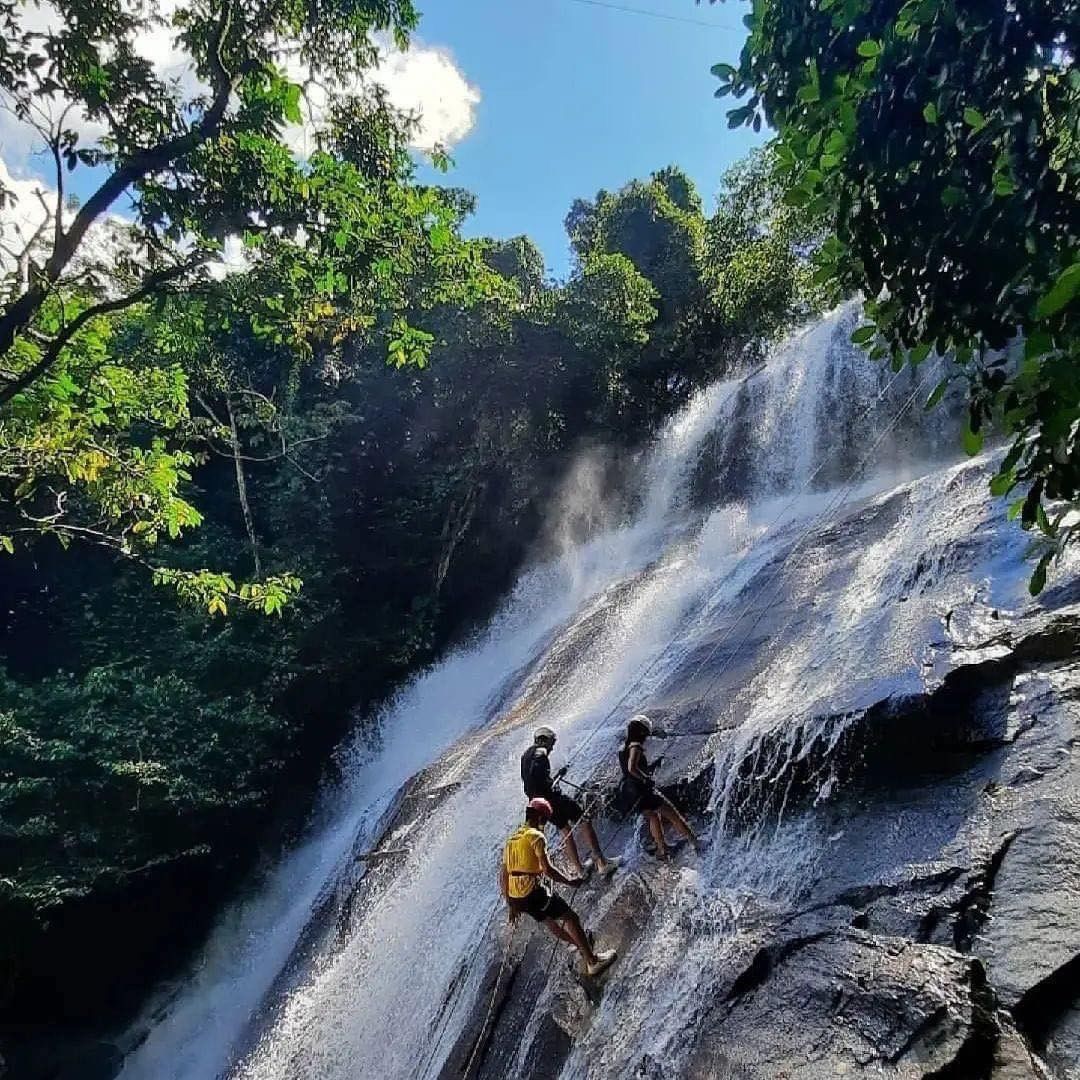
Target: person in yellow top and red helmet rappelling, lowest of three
<point>525,863</point>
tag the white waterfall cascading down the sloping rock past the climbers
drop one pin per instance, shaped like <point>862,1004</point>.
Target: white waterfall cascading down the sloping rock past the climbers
<point>765,586</point>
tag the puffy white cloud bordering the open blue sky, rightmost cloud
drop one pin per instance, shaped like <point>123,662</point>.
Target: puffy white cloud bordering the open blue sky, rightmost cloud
<point>427,80</point>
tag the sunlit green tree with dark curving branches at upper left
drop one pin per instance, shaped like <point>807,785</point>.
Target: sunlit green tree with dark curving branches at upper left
<point>98,427</point>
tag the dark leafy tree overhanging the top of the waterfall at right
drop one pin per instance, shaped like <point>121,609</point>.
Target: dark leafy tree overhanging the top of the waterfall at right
<point>939,142</point>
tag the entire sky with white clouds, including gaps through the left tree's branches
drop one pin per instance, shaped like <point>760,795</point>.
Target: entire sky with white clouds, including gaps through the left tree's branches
<point>544,102</point>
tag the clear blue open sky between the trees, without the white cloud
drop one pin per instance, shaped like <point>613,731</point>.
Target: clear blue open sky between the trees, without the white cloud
<point>575,98</point>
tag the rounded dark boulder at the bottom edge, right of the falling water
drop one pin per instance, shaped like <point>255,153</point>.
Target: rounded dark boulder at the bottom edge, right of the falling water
<point>843,1003</point>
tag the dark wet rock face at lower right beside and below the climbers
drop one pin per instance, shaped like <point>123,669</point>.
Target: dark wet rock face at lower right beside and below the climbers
<point>941,936</point>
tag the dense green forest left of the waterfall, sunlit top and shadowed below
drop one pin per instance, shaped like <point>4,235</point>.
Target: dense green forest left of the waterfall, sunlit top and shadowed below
<point>239,506</point>
